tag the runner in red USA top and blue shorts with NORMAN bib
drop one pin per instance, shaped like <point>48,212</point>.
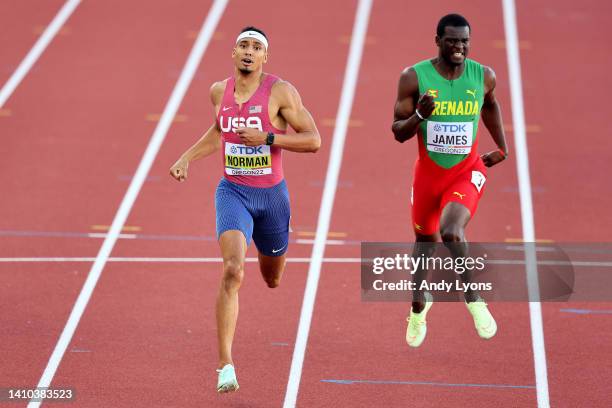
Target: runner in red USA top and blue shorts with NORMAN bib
<point>253,111</point>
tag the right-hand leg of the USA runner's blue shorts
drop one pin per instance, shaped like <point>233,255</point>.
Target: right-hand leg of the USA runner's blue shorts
<point>271,227</point>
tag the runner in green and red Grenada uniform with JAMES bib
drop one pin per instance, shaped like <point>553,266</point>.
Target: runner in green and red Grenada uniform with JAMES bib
<point>441,100</point>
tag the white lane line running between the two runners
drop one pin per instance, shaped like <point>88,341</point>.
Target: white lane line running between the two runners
<point>327,202</point>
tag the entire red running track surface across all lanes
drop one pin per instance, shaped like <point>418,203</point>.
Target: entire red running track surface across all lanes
<point>147,337</point>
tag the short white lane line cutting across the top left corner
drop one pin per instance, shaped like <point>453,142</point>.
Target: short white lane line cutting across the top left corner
<point>36,51</point>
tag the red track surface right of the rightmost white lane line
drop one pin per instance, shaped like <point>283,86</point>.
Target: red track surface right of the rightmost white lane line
<point>573,200</point>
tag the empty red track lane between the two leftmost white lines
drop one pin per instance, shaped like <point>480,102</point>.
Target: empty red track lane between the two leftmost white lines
<point>80,120</point>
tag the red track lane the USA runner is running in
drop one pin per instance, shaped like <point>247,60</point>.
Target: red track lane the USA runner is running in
<point>171,208</point>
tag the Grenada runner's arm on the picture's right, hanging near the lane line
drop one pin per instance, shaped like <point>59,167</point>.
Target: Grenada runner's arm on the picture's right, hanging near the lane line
<point>491,117</point>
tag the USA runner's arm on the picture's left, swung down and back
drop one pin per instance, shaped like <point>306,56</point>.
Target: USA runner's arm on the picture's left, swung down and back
<point>209,143</point>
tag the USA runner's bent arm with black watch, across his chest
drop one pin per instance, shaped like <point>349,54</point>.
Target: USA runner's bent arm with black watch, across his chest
<point>291,109</point>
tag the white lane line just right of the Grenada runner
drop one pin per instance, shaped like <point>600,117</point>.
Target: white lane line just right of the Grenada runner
<point>522,164</point>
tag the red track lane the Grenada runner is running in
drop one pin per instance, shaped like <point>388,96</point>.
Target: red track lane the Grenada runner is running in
<point>377,207</point>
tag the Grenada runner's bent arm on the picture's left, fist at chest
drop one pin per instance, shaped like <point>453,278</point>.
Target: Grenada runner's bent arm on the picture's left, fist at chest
<point>405,120</point>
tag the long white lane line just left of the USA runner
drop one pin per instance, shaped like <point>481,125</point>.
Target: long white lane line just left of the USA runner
<point>199,47</point>
